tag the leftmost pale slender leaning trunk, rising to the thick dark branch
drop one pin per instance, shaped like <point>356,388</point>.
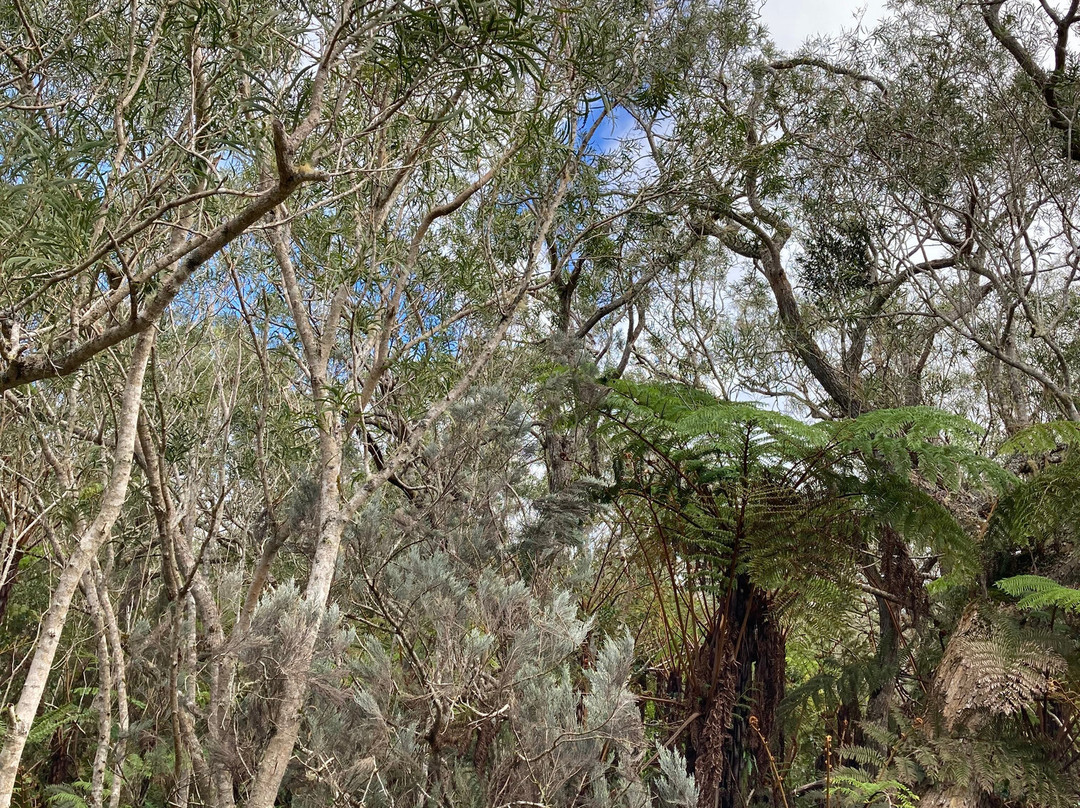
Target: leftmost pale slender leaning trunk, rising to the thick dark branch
<point>91,541</point>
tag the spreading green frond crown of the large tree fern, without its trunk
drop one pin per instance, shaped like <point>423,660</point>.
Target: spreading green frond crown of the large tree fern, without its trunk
<point>789,480</point>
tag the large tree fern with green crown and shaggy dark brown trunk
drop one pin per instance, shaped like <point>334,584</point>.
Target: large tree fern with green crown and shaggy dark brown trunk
<point>747,521</point>
